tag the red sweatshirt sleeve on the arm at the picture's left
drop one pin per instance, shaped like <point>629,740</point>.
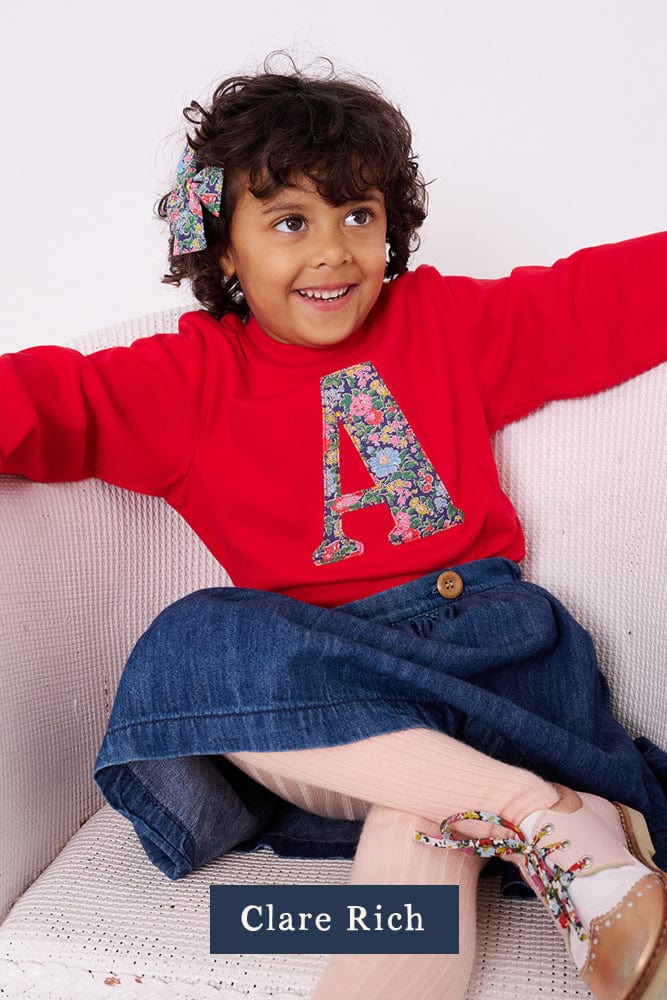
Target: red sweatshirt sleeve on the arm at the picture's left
<point>128,415</point>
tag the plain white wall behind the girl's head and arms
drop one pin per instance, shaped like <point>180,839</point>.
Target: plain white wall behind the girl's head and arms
<point>542,125</point>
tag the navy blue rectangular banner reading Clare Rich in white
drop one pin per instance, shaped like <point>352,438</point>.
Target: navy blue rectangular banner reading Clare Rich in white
<point>334,919</point>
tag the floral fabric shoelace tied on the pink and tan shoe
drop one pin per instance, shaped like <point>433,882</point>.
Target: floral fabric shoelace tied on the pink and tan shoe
<point>550,882</point>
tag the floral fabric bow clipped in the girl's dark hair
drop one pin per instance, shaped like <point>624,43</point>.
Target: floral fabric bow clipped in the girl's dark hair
<point>194,189</point>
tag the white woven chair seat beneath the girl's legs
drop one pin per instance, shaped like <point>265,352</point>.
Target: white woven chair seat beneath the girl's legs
<point>101,915</point>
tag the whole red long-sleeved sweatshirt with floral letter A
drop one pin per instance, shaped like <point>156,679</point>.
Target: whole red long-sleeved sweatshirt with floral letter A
<point>330,474</point>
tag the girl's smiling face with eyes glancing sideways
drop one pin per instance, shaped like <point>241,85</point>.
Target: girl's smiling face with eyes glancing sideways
<point>310,271</point>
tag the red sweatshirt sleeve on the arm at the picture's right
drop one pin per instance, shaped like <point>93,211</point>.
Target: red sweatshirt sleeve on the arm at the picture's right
<point>586,323</point>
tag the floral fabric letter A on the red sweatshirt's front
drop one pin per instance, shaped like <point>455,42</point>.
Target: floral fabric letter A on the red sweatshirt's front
<point>405,479</point>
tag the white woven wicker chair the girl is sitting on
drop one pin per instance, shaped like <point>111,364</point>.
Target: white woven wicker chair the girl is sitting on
<point>85,567</point>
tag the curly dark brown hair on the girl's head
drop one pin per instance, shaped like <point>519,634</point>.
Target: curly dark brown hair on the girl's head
<point>272,129</point>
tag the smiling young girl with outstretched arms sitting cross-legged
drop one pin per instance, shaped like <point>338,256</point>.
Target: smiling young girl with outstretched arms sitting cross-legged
<point>324,425</point>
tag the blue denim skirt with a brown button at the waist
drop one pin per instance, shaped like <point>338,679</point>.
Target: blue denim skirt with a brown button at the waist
<point>502,667</point>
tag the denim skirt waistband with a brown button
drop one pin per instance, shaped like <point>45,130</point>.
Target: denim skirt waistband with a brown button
<point>421,595</point>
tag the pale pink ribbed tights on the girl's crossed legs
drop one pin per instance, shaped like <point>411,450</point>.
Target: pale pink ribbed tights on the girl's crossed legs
<point>398,783</point>
